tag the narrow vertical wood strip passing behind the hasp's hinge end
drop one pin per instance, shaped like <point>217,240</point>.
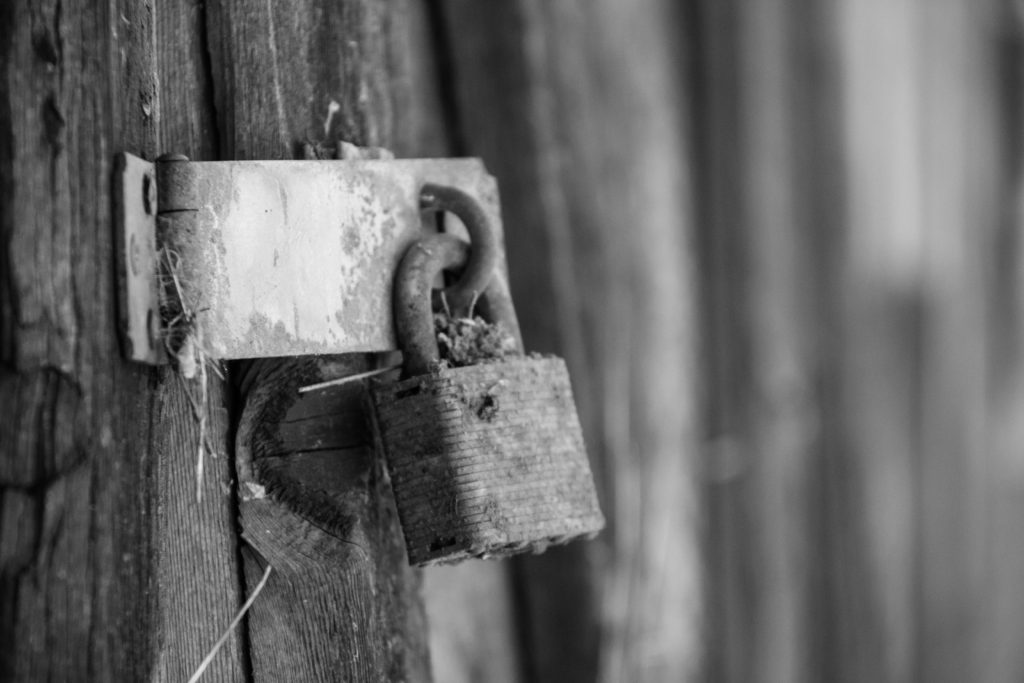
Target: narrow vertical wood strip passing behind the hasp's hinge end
<point>198,566</point>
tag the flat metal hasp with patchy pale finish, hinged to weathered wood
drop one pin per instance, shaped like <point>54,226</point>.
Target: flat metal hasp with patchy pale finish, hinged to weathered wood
<point>274,259</point>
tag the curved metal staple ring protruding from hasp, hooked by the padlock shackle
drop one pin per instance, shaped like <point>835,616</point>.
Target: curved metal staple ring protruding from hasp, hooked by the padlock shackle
<point>484,259</point>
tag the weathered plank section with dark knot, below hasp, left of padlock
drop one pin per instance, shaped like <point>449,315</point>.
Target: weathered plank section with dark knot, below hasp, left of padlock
<point>342,603</point>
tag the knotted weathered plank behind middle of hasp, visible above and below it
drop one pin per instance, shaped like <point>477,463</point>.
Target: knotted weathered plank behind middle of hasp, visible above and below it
<point>342,602</point>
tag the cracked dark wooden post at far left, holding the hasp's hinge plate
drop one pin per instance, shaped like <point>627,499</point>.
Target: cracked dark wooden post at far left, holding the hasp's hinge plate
<point>110,570</point>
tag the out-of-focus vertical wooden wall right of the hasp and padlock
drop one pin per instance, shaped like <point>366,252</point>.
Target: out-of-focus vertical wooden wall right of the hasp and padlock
<point>818,202</point>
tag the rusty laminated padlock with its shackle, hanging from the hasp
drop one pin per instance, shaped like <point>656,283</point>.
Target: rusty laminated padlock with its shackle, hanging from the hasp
<point>486,460</point>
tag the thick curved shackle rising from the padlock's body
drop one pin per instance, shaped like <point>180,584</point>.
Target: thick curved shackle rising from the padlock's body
<point>414,314</point>
